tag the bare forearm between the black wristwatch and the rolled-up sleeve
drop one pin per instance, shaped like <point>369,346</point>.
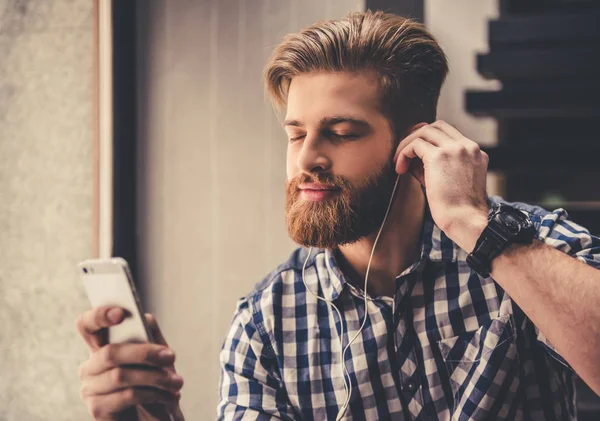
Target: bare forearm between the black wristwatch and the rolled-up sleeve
<point>561,296</point>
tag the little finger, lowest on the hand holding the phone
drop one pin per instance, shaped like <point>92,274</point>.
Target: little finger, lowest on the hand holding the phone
<point>104,406</point>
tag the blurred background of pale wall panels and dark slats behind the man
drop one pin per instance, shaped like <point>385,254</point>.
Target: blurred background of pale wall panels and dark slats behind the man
<point>140,129</point>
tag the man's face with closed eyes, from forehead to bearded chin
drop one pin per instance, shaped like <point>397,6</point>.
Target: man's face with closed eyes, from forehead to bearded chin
<point>340,173</point>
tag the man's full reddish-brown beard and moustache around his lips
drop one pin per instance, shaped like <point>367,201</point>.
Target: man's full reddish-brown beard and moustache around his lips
<point>355,212</point>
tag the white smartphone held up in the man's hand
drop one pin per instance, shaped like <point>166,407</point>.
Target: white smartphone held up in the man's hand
<point>108,282</point>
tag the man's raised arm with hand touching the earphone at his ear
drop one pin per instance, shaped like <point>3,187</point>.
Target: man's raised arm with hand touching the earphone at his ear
<point>560,294</point>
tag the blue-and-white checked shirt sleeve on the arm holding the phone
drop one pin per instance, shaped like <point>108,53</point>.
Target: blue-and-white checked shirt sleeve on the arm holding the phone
<point>249,387</point>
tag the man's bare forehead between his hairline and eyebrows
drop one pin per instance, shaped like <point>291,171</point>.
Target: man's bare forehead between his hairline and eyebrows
<point>312,96</point>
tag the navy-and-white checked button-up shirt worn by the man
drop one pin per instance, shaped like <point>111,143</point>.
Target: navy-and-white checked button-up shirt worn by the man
<point>450,345</point>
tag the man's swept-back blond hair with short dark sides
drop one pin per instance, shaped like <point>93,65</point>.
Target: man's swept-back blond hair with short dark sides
<point>410,64</point>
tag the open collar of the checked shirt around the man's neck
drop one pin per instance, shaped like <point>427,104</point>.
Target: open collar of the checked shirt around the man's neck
<point>435,247</point>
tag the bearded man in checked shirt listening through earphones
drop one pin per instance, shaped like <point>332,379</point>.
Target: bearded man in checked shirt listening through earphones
<point>415,296</point>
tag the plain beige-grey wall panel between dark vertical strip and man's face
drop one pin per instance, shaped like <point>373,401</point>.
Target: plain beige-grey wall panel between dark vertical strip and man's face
<point>212,169</point>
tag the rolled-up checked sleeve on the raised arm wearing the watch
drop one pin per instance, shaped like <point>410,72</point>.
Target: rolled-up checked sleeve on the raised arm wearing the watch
<point>557,231</point>
